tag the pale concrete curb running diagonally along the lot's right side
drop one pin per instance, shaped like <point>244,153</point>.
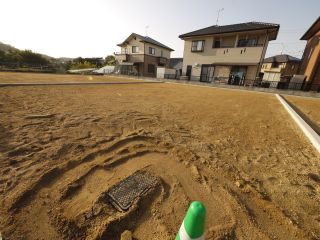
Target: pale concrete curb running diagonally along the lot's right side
<point>313,137</point>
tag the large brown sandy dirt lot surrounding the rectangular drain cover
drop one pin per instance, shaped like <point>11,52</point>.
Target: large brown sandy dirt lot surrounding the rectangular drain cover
<point>63,147</point>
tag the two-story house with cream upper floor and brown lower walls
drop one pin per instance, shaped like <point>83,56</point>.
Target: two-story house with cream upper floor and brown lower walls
<point>143,54</point>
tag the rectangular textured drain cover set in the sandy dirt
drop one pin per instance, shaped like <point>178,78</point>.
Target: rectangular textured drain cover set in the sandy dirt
<point>123,194</point>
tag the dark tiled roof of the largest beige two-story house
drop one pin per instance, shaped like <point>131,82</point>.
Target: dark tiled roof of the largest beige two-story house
<point>240,27</point>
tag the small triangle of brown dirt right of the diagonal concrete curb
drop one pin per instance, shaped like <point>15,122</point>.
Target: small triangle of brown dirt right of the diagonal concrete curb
<point>308,106</point>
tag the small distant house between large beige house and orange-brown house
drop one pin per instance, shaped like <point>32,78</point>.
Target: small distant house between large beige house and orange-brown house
<point>280,67</point>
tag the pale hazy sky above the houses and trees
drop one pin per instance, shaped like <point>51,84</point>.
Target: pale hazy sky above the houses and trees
<point>72,28</point>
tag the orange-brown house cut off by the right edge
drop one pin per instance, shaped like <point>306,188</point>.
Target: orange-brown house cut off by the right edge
<point>310,64</point>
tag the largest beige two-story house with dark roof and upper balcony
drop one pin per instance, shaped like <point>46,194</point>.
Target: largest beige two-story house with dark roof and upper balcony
<point>231,53</point>
